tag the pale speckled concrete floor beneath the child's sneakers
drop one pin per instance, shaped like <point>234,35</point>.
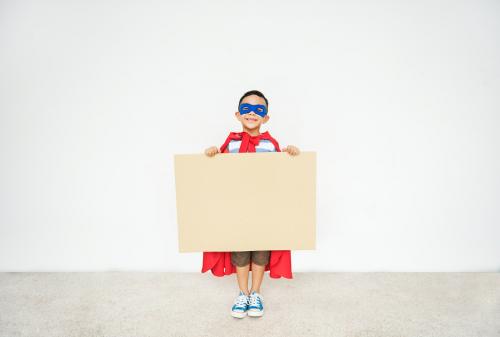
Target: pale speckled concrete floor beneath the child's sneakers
<point>126,304</point>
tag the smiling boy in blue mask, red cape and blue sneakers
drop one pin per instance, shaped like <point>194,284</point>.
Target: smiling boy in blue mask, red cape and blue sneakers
<point>252,113</point>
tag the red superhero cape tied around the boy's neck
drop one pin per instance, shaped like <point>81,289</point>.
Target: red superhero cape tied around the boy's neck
<point>280,261</point>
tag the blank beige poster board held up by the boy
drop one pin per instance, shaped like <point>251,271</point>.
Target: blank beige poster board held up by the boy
<point>246,201</point>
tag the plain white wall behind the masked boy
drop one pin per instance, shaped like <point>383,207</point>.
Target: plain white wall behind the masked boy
<point>399,99</point>
